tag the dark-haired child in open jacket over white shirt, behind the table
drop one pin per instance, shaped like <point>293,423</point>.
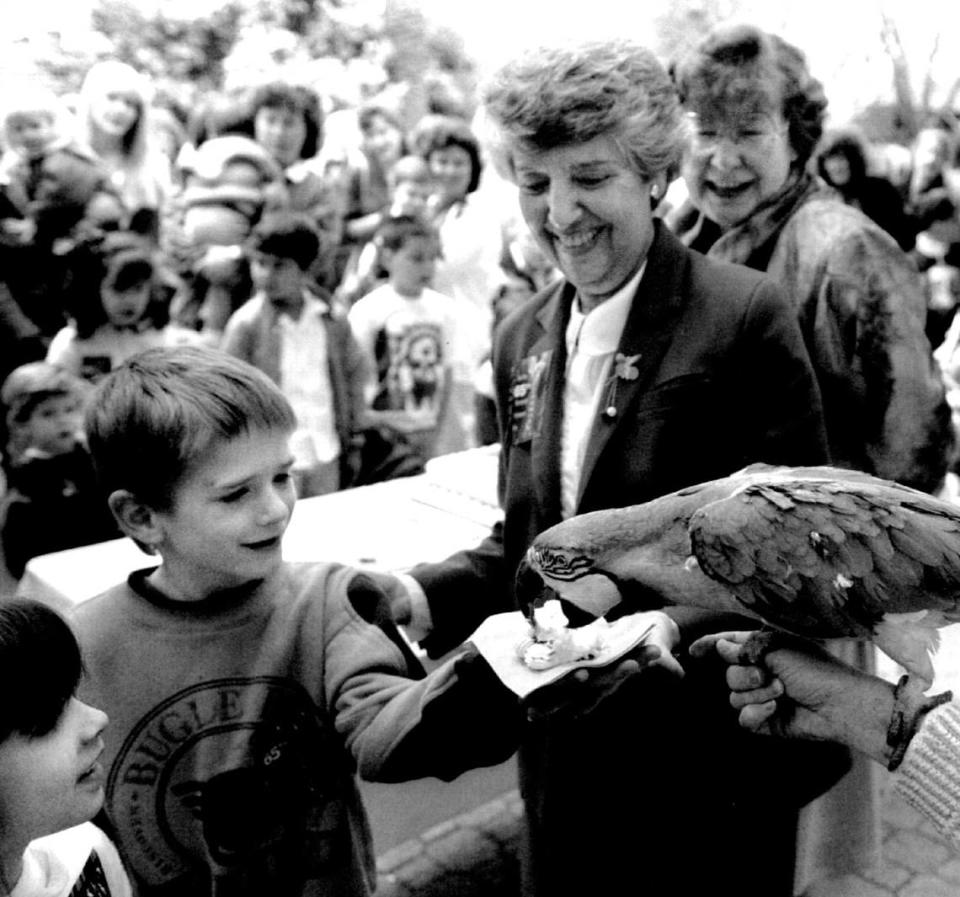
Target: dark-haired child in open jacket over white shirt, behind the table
<point>295,337</point>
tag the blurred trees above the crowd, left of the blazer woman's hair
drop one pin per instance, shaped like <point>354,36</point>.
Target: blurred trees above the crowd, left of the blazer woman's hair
<point>348,50</point>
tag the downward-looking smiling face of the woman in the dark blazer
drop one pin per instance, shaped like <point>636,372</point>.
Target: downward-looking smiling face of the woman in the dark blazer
<point>590,212</point>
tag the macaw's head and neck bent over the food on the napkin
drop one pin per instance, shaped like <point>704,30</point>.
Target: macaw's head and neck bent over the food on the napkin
<point>638,556</point>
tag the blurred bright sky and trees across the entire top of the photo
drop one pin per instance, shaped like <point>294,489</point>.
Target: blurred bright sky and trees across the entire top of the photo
<point>888,65</point>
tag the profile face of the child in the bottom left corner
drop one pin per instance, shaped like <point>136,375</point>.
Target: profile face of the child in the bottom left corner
<point>54,781</point>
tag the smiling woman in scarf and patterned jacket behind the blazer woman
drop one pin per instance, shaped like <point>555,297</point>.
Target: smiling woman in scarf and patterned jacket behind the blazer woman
<point>756,115</point>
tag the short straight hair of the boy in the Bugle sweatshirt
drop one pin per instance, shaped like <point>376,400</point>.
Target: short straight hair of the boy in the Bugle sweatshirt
<point>156,415</point>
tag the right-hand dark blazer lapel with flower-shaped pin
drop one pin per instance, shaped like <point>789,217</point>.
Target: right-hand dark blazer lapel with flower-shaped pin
<point>648,332</point>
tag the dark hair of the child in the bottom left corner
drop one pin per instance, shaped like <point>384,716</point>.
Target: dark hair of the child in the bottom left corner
<point>40,666</point>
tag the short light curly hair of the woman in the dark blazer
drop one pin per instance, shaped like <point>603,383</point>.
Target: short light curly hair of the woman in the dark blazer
<point>571,94</point>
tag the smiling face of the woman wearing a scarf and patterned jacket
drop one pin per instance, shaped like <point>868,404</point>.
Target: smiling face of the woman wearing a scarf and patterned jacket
<point>737,159</point>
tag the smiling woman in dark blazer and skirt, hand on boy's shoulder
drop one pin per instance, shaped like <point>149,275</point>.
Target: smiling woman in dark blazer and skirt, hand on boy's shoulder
<point>644,369</point>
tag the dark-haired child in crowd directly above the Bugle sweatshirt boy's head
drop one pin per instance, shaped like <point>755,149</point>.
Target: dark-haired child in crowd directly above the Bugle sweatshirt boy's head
<point>117,307</point>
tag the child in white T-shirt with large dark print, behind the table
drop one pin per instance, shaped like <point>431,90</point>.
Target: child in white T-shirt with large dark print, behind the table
<point>416,340</point>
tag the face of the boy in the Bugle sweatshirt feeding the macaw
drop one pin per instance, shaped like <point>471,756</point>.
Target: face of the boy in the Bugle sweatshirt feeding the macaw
<point>228,515</point>
